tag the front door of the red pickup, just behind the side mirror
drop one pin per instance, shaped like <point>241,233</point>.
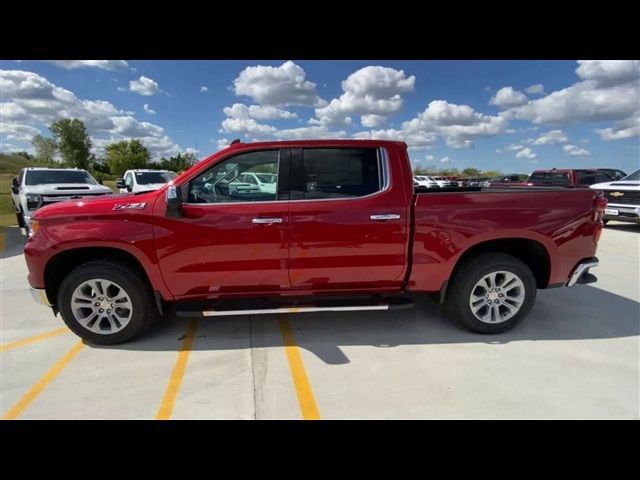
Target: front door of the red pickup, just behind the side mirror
<point>229,240</point>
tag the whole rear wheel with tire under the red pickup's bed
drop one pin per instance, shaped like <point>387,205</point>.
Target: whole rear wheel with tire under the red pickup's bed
<point>492,293</point>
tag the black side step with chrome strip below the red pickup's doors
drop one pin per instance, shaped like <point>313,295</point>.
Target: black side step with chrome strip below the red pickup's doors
<point>222,309</point>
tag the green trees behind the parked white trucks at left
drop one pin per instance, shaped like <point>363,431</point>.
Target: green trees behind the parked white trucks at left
<point>71,142</point>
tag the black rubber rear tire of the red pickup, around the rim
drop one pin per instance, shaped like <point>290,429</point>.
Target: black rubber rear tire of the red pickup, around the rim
<point>464,282</point>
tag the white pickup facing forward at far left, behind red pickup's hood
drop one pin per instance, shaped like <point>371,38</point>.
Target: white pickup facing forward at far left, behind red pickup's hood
<point>36,187</point>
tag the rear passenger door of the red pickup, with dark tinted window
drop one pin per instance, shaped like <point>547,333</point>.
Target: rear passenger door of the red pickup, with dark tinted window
<point>348,220</point>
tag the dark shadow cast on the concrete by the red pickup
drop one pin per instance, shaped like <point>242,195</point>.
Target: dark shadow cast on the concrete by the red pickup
<point>580,313</point>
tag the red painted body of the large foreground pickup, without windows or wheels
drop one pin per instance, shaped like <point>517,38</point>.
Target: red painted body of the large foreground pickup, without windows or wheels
<point>322,245</point>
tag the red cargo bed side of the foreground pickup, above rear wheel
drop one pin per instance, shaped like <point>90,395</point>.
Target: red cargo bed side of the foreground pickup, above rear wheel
<point>448,223</point>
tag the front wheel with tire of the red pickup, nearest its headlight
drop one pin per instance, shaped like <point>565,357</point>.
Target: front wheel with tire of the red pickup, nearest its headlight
<point>106,302</point>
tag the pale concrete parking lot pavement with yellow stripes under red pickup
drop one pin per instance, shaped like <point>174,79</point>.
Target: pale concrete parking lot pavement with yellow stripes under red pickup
<point>575,356</point>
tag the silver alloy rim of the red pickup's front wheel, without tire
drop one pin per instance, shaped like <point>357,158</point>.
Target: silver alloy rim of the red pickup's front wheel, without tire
<point>101,306</point>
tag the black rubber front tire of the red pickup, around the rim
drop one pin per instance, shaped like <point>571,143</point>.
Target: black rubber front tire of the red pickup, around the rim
<point>144,311</point>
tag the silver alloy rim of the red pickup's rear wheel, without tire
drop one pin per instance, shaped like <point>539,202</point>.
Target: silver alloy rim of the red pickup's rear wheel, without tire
<point>497,297</point>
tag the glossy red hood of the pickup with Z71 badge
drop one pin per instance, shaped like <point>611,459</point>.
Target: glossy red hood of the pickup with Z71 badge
<point>108,205</point>
